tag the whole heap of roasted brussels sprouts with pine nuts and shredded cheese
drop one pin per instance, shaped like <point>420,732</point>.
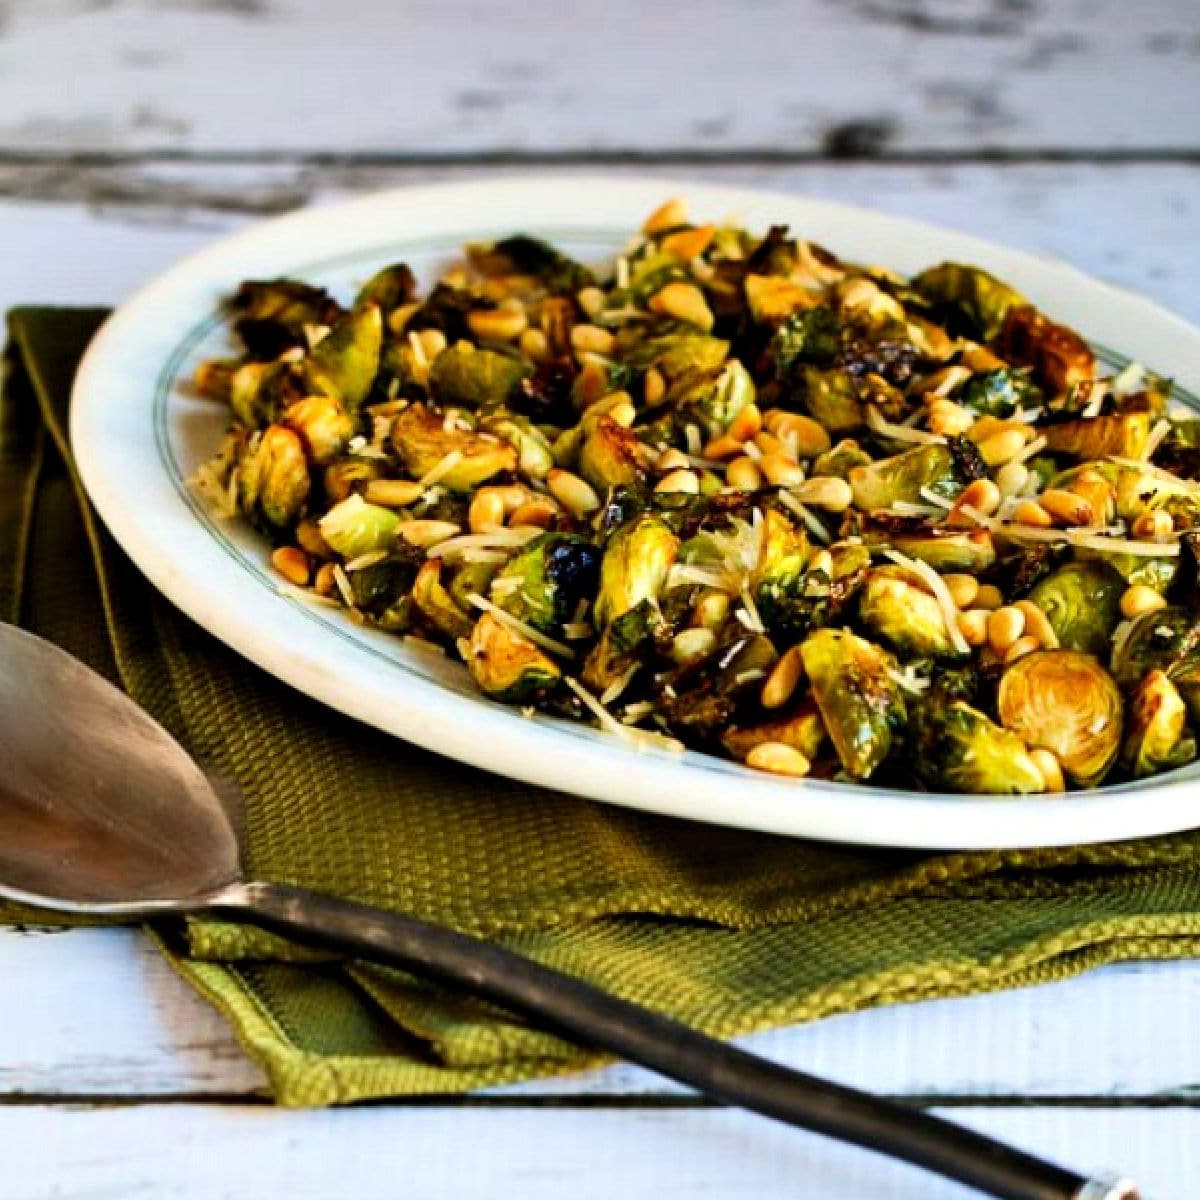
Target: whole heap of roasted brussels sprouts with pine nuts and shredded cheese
<point>736,494</point>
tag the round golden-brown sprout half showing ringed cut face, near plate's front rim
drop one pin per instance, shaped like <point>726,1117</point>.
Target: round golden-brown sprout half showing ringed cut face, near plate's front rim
<point>1065,701</point>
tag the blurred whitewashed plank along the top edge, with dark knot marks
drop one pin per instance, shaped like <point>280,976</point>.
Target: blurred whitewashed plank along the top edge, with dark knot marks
<point>431,79</point>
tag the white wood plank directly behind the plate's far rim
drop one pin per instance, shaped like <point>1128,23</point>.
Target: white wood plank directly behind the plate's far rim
<point>1132,226</point>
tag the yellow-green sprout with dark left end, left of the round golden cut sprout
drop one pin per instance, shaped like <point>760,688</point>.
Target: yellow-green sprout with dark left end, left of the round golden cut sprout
<point>958,748</point>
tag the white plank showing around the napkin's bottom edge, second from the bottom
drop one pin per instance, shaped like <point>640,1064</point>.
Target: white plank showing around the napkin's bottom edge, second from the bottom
<point>1126,1033</point>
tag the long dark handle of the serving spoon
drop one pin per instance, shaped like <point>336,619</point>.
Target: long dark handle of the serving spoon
<point>592,1017</point>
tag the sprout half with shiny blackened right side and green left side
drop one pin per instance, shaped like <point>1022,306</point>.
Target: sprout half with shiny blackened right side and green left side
<point>544,584</point>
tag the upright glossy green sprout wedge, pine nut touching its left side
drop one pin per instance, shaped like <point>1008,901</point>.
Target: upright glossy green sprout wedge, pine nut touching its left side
<point>861,703</point>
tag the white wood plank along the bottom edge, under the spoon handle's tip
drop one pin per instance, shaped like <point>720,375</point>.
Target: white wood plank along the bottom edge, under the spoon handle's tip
<point>191,1154</point>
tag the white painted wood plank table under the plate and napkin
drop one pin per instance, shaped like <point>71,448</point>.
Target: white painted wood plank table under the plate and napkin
<point>130,133</point>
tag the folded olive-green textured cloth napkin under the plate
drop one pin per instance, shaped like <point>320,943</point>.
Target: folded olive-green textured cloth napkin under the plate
<point>729,932</point>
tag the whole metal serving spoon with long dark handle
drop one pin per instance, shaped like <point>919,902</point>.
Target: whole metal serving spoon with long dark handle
<point>103,813</point>
